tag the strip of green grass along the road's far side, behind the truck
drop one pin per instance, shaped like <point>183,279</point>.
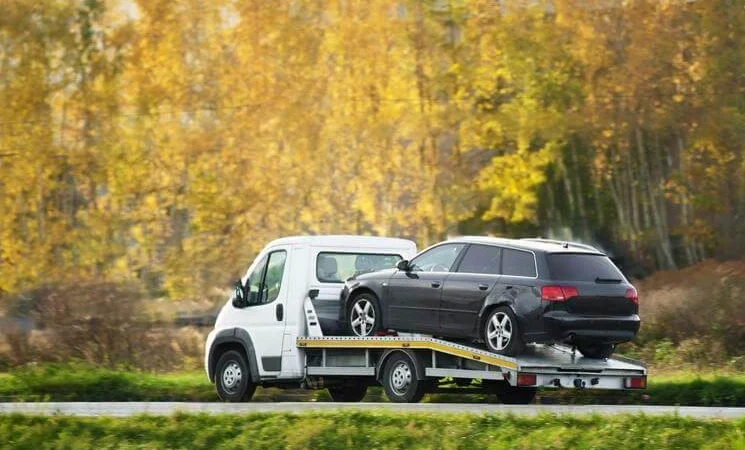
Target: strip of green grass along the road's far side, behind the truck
<point>84,383</point>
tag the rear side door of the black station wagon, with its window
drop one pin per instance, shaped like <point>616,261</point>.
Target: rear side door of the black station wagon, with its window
<point>466,289</point>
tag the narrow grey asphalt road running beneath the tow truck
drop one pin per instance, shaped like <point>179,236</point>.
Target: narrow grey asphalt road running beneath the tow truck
<point>123,409</point>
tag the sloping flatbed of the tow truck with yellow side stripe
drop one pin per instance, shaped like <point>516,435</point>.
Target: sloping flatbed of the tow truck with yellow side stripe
<point>513,379</point>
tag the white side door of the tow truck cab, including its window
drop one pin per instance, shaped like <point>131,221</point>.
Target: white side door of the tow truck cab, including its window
<point>264,318</point>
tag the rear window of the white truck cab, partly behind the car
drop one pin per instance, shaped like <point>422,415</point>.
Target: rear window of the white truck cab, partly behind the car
<point>337,267</point>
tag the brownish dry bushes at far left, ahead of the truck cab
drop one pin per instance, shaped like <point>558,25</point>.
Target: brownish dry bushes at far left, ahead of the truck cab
<point>98,323</point>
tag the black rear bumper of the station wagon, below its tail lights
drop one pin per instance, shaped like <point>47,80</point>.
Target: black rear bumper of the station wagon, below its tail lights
<point>564,326</point>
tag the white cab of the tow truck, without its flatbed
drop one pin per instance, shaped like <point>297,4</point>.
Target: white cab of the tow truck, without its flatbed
<point>264,329</point>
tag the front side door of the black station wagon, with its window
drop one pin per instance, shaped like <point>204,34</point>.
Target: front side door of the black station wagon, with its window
<point>414,295</point>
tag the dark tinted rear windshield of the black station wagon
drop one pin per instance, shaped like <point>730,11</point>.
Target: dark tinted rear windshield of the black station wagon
<point>582,267</point>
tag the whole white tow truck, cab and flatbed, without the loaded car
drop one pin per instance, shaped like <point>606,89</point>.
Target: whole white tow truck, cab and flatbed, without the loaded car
<point>280,328</point>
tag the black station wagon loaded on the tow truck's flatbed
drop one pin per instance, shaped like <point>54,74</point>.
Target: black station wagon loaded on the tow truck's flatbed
<point>502,292</point>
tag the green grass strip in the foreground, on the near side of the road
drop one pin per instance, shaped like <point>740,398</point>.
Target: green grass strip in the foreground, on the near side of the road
<point>370,430</point>
